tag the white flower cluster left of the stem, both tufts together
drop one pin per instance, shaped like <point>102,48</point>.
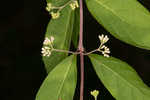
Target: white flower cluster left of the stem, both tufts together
<point>48,46</point>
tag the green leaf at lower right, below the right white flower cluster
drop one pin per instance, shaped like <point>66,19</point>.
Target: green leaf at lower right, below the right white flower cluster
<point>120,79</point>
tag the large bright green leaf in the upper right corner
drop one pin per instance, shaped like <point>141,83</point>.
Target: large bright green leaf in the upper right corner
<point>127,20</point>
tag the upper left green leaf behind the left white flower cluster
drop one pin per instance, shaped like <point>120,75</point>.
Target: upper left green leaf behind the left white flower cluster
<point>61,29</point>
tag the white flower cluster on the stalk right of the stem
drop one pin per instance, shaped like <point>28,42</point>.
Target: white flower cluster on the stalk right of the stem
<point>102,48</point>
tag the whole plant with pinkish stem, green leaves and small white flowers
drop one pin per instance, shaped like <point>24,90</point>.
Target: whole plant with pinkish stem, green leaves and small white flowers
<point>127,20</point>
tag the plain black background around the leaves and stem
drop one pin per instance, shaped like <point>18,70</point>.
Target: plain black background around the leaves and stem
<point>22,29</point>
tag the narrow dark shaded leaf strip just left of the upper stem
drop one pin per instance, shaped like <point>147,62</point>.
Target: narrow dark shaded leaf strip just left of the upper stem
<point>76,27</point>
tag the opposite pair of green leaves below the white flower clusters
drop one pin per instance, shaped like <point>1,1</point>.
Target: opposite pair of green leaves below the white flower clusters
<point>116,75</point>
